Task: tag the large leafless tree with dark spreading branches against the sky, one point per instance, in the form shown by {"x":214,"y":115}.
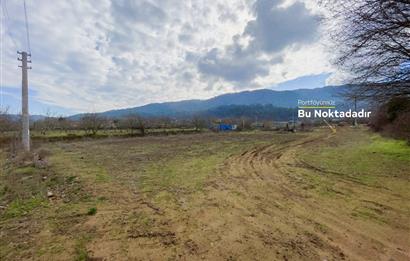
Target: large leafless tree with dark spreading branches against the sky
{"x":372,"y":45}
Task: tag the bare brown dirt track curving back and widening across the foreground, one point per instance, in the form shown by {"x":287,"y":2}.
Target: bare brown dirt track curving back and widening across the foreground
{"x":260,"y":206}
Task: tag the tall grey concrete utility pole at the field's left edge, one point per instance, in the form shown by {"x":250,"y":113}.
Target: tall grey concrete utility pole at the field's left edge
{"x":24,"y":100}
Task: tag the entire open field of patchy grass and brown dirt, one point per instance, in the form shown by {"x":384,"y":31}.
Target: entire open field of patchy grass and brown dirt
{"x":249,"y":195}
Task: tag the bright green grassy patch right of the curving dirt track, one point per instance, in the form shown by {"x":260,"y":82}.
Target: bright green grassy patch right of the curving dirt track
{"x":363,"y":154}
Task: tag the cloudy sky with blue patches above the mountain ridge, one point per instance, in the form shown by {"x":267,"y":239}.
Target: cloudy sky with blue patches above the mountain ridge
{"x":92,"y":56}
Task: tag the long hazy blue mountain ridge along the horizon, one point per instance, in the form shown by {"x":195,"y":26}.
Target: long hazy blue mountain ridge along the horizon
{"x":284,"y":99}
